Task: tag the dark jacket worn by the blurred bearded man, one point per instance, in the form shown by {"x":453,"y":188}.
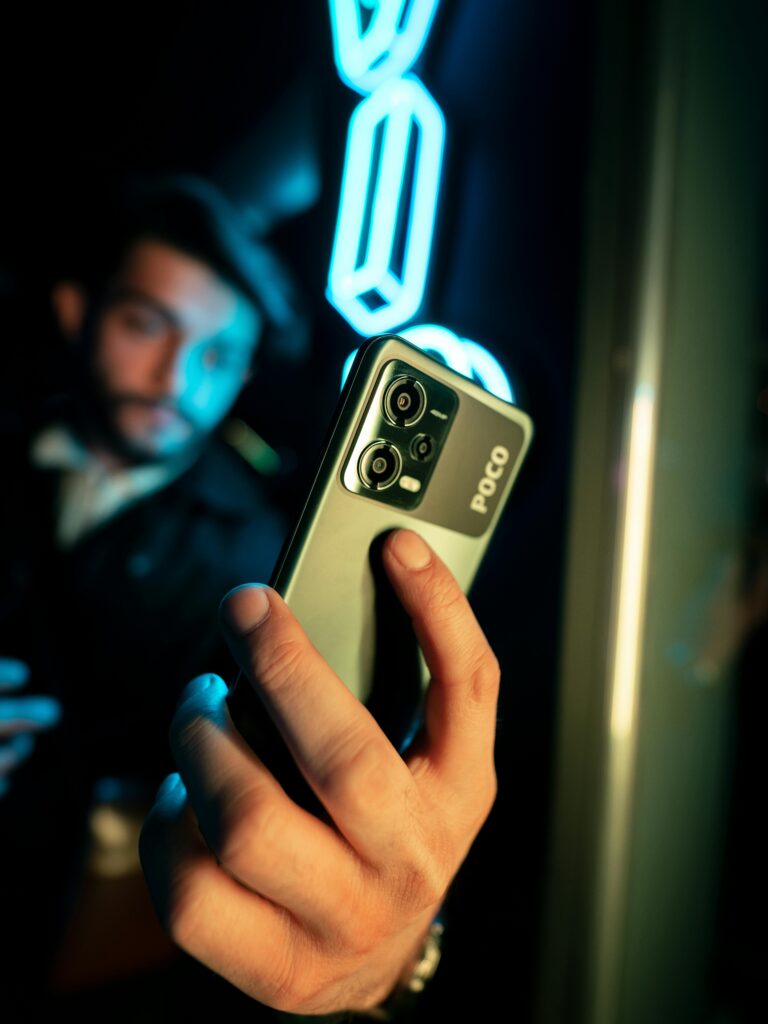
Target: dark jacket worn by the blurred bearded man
{"x":114,"y":628}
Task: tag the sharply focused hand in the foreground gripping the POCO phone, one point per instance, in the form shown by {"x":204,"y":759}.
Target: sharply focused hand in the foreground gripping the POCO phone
{"x":306,"y":916}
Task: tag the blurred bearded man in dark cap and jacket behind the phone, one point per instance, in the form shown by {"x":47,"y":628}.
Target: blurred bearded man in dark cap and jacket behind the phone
{"x":124,"y":520}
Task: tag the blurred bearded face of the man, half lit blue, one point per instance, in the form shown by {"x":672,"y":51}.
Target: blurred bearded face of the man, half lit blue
{"x":173,"y":348}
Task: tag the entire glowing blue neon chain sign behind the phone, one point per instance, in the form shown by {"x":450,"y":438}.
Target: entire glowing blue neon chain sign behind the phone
{"x":391,"y":184}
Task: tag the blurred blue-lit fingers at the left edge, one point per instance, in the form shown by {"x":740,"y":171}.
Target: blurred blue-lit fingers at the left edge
{"x":20,"y":718}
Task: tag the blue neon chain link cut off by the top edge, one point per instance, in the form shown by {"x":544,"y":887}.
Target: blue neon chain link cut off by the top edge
{"x":383,"y":45}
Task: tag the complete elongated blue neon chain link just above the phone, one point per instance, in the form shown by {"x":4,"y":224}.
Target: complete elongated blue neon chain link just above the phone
{"x":401,"y":106}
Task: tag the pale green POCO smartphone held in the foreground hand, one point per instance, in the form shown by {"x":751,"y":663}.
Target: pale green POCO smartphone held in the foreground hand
{"x":413,"y":444}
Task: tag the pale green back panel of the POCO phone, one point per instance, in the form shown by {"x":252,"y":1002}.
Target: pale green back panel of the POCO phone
{"x":327,"y":573}
